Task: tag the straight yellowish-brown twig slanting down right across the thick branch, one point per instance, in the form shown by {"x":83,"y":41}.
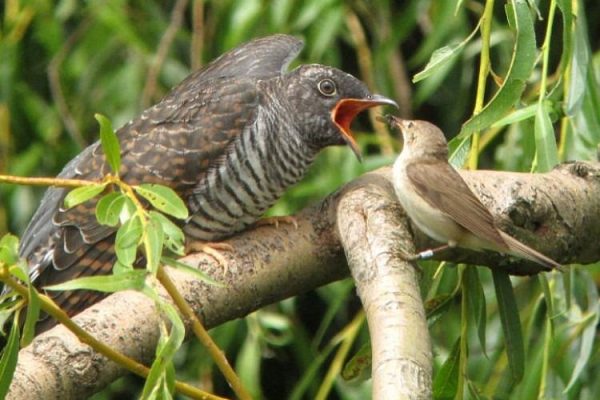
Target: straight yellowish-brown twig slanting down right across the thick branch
{"x":217,"y":355}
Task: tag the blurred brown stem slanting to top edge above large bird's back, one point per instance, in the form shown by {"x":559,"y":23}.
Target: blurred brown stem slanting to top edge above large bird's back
{"x":163,"y":49}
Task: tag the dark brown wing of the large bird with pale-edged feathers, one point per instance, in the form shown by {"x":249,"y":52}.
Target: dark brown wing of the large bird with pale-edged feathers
{"x":172,"y":143}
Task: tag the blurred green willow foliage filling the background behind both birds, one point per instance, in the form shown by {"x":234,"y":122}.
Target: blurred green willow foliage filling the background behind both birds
{"x":63,"y":61}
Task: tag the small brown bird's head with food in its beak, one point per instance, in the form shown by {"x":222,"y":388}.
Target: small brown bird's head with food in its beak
{"x":421,"y":138}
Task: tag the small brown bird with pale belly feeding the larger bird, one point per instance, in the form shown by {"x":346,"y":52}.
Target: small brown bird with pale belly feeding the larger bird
{"x":439,"y":201}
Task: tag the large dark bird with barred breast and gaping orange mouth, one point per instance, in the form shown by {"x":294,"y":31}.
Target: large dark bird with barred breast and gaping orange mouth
{"x":229,"y":140}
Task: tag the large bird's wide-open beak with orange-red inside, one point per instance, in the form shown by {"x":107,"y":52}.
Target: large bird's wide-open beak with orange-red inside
{"x":346,"y":110}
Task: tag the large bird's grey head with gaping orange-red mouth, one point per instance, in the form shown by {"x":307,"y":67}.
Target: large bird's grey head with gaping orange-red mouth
{"x":326,"y":100}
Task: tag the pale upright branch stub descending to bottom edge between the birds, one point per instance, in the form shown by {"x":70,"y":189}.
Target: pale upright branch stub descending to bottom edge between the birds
{"x":375,"y":234}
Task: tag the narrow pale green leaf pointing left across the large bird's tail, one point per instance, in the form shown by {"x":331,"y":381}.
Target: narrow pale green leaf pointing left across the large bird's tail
{"x":130,"y":280}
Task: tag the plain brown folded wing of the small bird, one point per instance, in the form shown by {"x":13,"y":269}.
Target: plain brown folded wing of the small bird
{"x":443,"y":188}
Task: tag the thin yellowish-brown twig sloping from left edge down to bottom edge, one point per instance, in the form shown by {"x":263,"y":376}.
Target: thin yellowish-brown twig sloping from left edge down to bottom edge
{"x":57,"y":313}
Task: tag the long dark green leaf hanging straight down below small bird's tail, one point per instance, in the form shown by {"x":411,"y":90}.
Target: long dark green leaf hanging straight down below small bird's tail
{"x":511,"y":324}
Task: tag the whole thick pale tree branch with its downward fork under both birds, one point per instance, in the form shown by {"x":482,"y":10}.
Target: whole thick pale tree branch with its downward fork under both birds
{"x":557,"y":212}
